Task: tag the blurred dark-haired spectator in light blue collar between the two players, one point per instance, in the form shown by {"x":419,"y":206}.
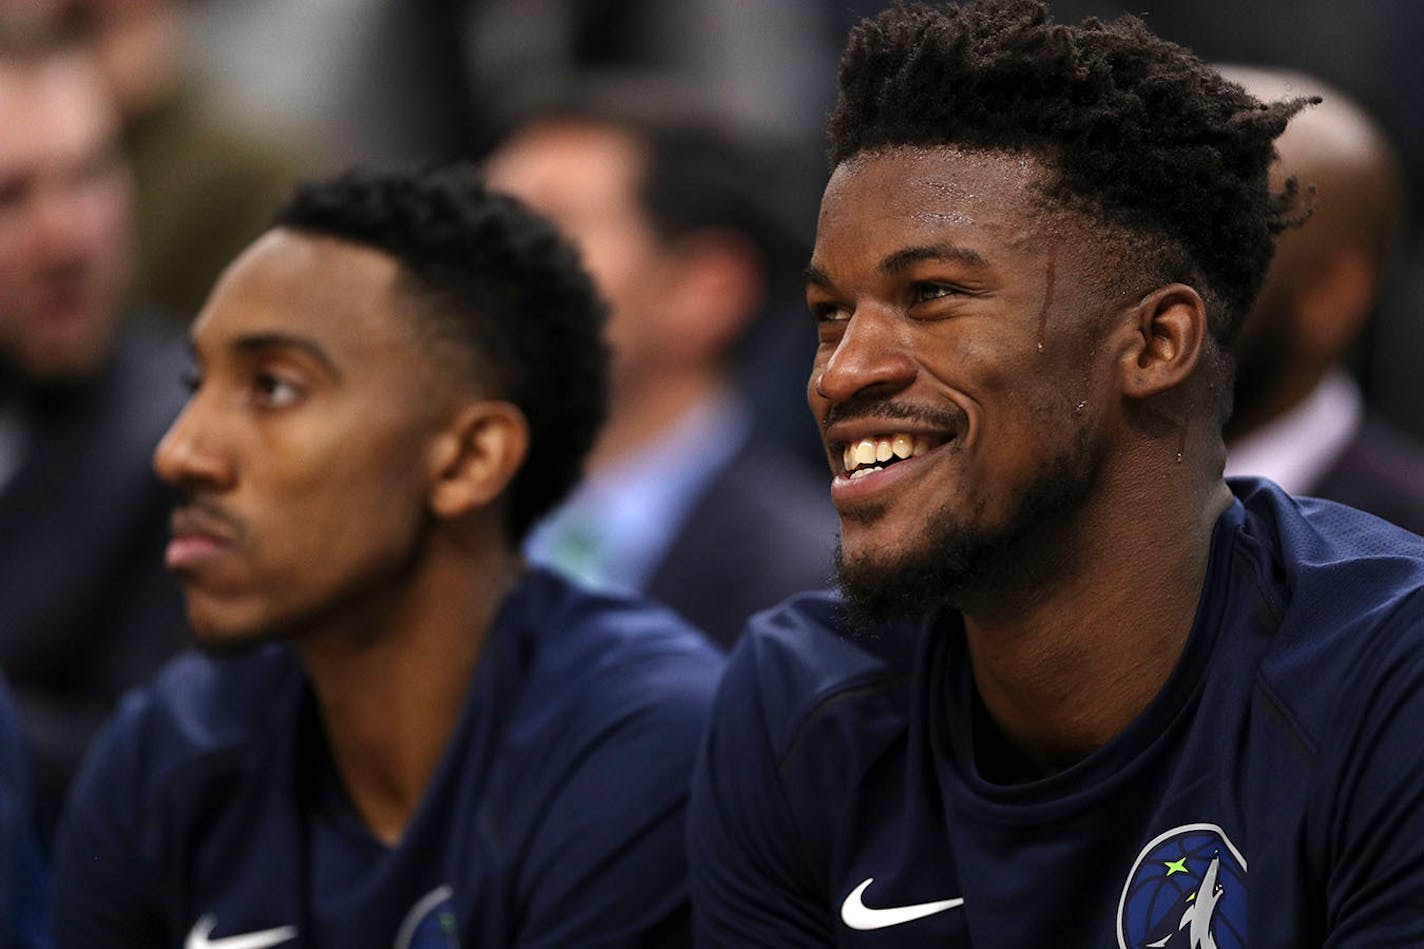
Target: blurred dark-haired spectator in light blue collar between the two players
{"x":681,"y":501}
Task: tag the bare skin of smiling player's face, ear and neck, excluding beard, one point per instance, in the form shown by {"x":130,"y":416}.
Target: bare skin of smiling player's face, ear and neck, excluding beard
{"x":945,"y":293}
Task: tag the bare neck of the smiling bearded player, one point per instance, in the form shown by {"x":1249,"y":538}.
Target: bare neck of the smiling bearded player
{"x":1066,"y":668}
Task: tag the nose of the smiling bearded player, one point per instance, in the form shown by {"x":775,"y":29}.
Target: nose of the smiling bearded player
{"x":874,"y":354}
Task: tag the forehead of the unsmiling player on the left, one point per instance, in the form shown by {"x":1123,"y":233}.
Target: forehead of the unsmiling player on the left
{"x":341,"y":297}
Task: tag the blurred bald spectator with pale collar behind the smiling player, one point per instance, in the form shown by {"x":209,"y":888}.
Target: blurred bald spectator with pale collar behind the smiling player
{"x":1301,"y":418}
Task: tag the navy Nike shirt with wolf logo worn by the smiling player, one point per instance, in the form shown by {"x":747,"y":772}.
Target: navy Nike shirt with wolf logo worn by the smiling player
{"x":1272,"y":796}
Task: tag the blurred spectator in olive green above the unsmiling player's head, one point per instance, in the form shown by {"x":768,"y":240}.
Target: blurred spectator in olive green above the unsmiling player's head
{"x":206,"y":186}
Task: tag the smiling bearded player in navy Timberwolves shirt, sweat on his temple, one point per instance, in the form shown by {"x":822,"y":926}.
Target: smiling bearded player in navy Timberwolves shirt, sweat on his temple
{"x":1076,"y":689}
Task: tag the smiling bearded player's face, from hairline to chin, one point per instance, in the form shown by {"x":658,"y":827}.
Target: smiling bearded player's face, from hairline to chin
{"x":958,"y":380}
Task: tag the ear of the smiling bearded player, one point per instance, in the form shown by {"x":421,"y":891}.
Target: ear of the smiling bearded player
{"x":1164,"y":341}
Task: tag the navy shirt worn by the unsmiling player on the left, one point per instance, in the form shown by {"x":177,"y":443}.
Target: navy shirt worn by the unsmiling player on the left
{"x":210,"y":813}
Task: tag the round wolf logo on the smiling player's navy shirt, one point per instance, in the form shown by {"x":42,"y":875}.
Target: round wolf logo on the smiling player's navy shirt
{"x":1187,"y":891}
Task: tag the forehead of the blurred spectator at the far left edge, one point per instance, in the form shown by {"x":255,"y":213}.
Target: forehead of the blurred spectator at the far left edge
{"x":52,"y":108}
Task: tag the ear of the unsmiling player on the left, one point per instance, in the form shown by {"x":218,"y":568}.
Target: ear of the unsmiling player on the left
{"x":476,"y":458}
